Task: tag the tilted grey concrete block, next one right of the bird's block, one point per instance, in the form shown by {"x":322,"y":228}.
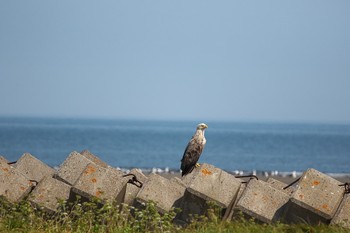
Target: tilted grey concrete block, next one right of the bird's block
{"x":262,"y":201}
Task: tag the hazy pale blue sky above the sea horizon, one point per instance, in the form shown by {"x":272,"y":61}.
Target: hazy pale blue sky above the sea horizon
{"x":217,"y":60}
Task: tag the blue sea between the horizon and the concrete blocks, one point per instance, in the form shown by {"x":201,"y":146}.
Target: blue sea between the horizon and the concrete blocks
{"x":160,"y":144}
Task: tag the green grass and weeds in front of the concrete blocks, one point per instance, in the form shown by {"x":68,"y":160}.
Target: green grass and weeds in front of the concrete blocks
{"x":97,"y":217}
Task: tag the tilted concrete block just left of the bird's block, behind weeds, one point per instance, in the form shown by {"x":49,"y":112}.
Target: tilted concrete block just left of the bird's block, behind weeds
{"x":165,"y":193}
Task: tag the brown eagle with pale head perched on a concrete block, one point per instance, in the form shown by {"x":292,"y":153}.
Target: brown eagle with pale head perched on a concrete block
{"x":193,"y":150}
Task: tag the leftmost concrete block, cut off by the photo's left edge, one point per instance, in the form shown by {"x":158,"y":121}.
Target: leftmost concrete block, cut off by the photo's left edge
{"x":13,"y":185}
